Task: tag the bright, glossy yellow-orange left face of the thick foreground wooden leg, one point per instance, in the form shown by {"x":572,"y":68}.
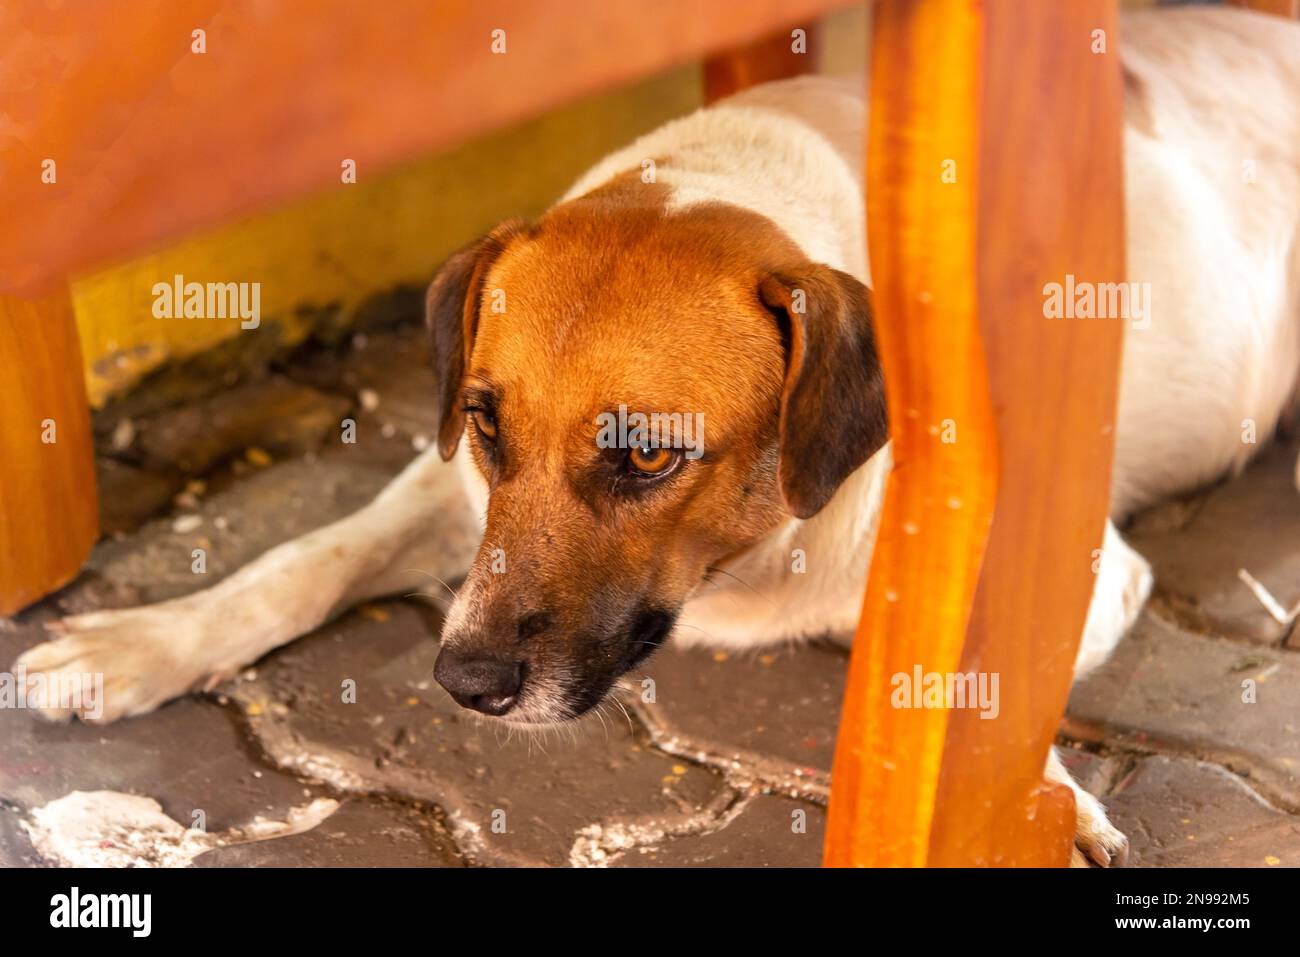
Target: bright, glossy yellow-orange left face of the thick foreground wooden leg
{"x":922,"y":235}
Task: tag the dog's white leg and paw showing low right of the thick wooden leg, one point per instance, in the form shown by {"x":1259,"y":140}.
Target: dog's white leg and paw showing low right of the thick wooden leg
{"x":1124,"y":584}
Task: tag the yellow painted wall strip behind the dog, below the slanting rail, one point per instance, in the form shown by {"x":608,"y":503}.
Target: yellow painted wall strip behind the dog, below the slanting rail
{"x":324,"y":257}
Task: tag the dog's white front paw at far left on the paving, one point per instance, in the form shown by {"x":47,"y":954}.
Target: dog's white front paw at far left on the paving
{"x":110,"y":665}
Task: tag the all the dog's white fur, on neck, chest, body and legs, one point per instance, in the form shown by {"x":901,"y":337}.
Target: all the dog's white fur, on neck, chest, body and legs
{"x":1214,"y":90}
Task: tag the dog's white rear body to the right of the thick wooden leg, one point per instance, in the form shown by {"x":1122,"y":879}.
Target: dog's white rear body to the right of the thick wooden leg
{"x":1221,"y":254}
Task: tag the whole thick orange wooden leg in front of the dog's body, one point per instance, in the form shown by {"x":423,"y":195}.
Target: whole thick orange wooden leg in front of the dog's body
{"x":994,"y":167}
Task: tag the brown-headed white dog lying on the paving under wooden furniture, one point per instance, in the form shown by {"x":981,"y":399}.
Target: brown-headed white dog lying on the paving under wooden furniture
{"x":733,"y":284}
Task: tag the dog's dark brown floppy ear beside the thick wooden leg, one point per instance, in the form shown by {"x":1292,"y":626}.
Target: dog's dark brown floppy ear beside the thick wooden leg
{"x":834,"y":402}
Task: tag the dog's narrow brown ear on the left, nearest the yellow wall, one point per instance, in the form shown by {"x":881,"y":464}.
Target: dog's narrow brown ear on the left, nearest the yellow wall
{"x":452,"y":314}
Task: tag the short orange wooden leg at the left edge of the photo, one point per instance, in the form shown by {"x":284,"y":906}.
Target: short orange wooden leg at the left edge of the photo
{"x":49,"y":505}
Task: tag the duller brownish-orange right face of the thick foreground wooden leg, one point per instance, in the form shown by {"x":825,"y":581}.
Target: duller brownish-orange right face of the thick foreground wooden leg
{"x":1051,"y":205}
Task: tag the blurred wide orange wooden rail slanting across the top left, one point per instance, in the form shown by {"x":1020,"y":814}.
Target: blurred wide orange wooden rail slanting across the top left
{"x":153,"y":141}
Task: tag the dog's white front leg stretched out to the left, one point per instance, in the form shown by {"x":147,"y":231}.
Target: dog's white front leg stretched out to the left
{"x":419,"y":530}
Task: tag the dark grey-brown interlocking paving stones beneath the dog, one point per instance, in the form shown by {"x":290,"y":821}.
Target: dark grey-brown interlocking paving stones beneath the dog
{"x":1189,"y":734}
